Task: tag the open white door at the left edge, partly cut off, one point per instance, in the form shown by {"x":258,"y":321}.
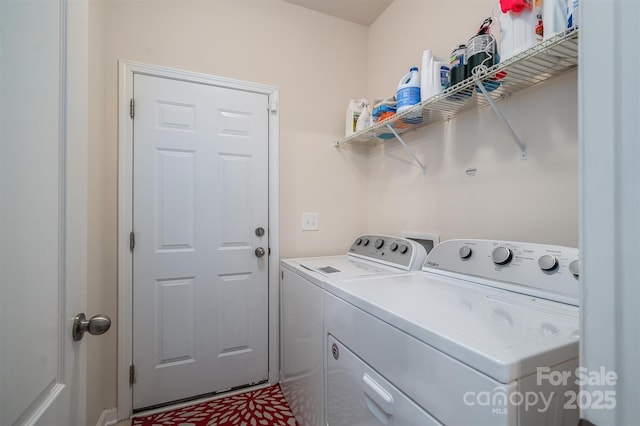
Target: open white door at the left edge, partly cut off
{"x":43,"y":211}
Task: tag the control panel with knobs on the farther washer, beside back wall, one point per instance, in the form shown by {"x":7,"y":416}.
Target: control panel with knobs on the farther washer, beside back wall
{"x":394,"y":251}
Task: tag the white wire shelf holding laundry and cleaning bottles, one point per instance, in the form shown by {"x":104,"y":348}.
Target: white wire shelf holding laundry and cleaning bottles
{"x":551,"y":58}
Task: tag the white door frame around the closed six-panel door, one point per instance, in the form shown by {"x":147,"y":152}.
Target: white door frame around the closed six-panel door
{"x":127,"y":69}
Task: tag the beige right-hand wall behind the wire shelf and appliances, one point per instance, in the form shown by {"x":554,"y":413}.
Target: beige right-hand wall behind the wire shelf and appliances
{"x":534,"y":200}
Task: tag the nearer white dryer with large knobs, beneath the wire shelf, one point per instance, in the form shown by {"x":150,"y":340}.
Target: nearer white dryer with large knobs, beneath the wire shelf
{"x":486,"y":334}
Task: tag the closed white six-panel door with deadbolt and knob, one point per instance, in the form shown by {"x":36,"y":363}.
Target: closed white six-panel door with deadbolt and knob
{"x":200,"y":191}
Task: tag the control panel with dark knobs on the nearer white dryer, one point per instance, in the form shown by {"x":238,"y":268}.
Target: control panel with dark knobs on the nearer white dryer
{"x":551,"y":272}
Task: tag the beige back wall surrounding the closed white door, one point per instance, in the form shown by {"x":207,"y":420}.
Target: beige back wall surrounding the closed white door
{"x":316,"y":61}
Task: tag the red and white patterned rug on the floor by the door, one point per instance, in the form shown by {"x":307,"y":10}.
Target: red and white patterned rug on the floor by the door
{"x":264,"y":407}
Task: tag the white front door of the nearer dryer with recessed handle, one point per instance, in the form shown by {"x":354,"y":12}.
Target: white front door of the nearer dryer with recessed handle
{"x":358,"y":396}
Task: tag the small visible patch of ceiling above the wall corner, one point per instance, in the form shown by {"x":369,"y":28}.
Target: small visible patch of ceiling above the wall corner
{"x":362,"y":12}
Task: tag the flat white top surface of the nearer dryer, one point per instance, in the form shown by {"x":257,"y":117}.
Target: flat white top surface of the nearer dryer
{"x":502,"y":334}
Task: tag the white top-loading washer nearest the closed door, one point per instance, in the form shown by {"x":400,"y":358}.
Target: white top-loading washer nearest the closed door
{"x":301,"y":308}
